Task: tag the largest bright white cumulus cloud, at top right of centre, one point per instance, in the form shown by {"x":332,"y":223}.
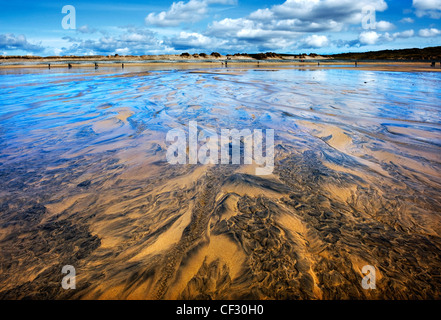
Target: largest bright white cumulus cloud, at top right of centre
{"x":285,"y":24}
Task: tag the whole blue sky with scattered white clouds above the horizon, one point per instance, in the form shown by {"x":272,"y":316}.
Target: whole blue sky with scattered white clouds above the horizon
{"x":226,"y":26}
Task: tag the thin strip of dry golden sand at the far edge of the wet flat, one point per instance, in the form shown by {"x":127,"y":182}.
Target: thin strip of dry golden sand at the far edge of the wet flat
{"x":170,"y":62}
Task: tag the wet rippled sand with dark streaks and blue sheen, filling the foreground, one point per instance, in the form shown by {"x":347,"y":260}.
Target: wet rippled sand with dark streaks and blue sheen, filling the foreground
{"x":85,"y":182}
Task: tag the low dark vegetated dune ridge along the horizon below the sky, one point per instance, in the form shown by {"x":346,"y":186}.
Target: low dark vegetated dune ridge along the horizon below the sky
{"x":414,"y":54}
